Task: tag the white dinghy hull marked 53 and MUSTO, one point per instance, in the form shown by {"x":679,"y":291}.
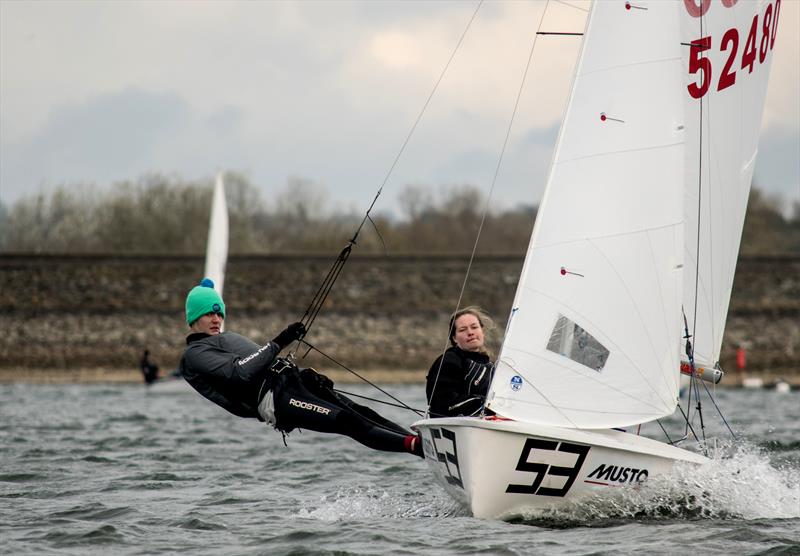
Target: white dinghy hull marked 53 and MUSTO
{"x":499,"y":469}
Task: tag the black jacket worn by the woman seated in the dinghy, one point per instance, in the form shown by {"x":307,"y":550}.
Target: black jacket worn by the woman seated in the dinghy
{"x":458,"y":385}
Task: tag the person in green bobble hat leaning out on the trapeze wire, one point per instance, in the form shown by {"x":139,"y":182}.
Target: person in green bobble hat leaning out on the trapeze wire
{"x":250,"y":380}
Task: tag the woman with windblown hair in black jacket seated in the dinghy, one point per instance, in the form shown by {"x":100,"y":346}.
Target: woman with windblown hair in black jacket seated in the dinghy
{"x":458,"y":380}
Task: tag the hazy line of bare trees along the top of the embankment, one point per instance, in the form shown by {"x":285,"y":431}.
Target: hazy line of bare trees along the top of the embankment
{"x":157,"y":214}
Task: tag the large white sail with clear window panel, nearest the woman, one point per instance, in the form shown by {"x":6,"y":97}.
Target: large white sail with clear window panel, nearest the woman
{"x":596,"y":318}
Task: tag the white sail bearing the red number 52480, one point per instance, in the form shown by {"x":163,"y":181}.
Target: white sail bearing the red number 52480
{"x":728,"y":73}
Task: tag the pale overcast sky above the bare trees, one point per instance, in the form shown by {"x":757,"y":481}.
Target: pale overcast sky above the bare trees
{"x":96,"y":92}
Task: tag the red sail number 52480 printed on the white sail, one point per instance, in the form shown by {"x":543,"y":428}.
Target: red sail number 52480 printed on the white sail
{"x":760,"y":40}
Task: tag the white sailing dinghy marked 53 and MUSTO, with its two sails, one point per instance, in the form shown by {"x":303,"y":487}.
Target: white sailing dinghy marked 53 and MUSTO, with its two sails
{"x":632,"y":256}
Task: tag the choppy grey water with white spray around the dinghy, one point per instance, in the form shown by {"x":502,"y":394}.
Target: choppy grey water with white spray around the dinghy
{"x":93,"y":469}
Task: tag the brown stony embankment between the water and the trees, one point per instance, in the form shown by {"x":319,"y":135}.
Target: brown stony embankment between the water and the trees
{"x":67,"y":313}
